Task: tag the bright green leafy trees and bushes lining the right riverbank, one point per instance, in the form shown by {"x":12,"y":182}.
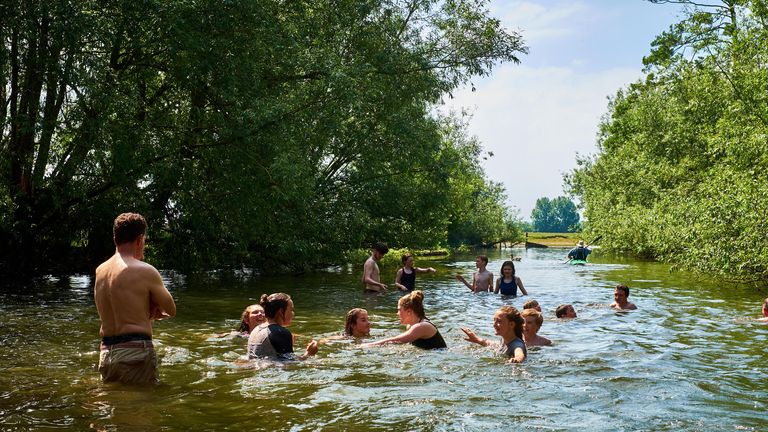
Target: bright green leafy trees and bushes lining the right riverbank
{"x":681,"y":173}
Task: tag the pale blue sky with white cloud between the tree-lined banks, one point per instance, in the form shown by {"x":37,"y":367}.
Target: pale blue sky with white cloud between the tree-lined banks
{"x":536,"y":116}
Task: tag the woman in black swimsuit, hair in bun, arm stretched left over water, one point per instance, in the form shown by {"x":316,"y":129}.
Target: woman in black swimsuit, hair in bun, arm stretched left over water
{"x":421,"y":332}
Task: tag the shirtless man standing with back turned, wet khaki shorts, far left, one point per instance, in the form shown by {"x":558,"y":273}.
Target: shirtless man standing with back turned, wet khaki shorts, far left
{"x":129,"y":294}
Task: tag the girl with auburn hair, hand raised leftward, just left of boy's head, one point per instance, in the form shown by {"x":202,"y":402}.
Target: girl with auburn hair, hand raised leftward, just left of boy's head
{"x":507,"y":323}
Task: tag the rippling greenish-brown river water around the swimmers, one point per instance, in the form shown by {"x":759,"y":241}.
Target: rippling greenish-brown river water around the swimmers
{"x":690,"y":358}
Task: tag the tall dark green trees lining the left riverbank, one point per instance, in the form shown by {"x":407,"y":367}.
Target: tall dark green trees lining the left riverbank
{"x":253,"y":133}
